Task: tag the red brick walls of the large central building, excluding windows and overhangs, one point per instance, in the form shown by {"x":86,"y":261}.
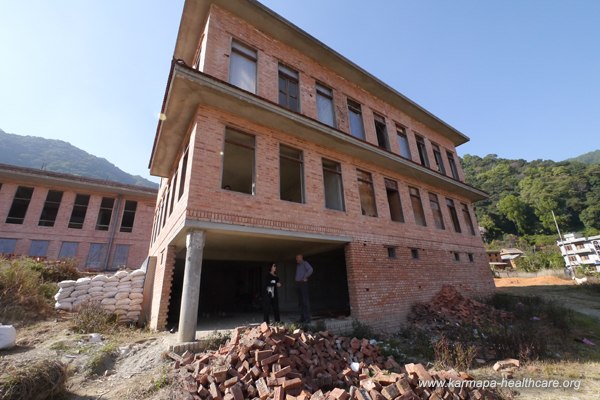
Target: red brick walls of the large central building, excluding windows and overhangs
{"x":382,"y":286}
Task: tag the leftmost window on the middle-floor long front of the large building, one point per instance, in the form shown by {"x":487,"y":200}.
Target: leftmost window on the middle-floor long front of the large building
{"x":238,"y":162}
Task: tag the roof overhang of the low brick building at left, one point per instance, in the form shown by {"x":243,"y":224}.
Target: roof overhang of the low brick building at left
{"x":58,"y":180}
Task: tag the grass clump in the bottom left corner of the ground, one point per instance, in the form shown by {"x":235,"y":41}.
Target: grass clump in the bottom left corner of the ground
{"x":39,"y":380}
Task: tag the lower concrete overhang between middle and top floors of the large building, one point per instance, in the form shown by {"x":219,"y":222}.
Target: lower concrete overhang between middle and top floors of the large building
{"x":188,"y":89}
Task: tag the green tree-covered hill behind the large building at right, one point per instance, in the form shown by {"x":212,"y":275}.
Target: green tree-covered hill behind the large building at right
{"x":523,"y":195}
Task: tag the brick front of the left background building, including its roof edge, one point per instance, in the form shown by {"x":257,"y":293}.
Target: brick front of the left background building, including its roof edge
{"x":42,"y":181}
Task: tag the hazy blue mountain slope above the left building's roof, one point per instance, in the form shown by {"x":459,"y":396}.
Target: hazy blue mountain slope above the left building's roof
{"x":59,"y":156}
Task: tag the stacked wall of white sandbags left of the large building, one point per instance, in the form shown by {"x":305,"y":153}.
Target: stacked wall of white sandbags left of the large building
{"x":121,"y":293}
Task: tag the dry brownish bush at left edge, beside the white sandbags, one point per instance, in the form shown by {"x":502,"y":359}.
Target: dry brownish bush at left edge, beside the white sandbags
{"x":25,"y":296}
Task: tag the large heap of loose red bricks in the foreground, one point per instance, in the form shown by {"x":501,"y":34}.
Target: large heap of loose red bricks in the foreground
{"x":272,"y":363}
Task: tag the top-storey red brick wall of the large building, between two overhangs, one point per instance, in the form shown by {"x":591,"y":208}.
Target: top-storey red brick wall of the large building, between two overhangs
{"x":223,"y":27}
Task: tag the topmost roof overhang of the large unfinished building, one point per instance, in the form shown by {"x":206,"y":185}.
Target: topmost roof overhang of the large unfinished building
{"x":196,"y":12}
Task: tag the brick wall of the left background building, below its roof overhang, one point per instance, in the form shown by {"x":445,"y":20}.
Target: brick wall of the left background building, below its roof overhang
{"x":138,"y":239}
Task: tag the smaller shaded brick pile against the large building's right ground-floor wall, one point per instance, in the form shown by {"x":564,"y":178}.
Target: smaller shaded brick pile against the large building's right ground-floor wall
{"x":449,"y":306}
